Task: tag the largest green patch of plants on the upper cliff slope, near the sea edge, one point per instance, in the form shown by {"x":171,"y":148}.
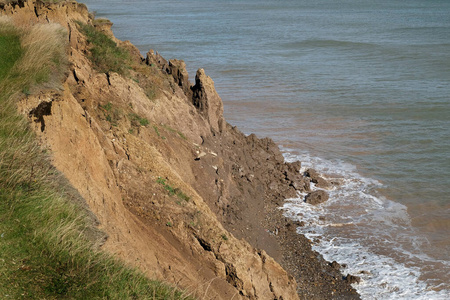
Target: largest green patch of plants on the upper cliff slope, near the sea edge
{"x":105,"y":55}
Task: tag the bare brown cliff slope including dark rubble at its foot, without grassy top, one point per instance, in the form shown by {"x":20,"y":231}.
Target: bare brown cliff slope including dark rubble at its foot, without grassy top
{"x":179,"y":192}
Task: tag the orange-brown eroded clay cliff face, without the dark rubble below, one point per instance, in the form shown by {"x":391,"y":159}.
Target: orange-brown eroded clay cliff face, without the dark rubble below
{"x":141,"y":179}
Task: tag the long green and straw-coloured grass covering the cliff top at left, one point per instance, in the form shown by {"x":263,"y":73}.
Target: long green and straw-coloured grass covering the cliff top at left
{"x":48,"y":241}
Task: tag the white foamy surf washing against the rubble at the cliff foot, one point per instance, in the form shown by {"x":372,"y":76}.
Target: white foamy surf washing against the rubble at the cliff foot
{"x":369,"y":233}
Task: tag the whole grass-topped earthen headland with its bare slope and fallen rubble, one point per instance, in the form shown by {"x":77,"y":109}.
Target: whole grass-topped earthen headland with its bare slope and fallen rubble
{"x":181,"y":194}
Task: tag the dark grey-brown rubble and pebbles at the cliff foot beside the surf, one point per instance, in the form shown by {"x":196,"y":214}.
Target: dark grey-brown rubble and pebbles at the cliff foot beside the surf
{"x":268,"y":229}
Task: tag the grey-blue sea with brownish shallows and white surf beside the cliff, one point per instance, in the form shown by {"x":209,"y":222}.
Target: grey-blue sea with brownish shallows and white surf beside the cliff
{"x":359,"y":90}
